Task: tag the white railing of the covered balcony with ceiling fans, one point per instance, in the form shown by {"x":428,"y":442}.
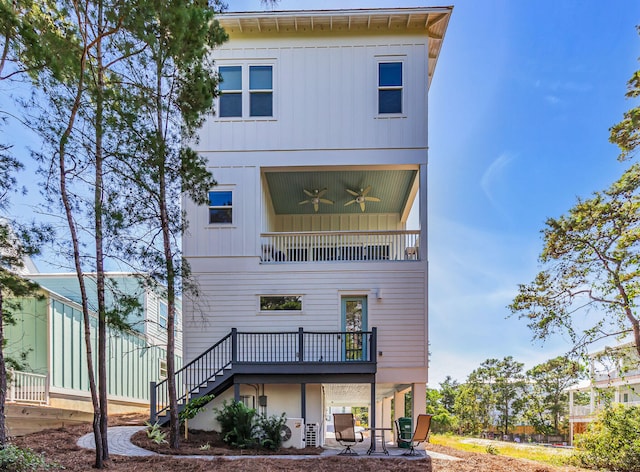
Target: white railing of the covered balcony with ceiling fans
{"x":345,"y":246}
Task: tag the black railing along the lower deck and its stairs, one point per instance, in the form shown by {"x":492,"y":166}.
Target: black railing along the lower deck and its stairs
{"x":282,"y":348}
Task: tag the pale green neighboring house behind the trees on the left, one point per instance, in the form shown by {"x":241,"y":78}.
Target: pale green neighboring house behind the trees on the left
{"x":49,"y":336}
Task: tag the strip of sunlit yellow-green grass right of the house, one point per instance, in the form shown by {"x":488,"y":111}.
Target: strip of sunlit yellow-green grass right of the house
{"x":547,"y":455}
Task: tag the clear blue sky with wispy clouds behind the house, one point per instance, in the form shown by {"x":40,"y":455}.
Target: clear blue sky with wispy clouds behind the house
{"x":520,"y":106}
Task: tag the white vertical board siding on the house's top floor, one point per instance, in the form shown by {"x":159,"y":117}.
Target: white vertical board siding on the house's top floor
{"x":325,"y":95}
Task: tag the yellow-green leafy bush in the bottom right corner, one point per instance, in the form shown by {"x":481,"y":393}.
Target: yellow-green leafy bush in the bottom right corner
{"x":612,"y":441}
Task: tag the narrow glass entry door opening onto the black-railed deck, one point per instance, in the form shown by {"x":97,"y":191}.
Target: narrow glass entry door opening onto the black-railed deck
{"x":354,"y":322}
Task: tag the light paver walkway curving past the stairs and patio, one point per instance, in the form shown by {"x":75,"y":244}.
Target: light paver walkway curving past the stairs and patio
{"x":120,"y":444}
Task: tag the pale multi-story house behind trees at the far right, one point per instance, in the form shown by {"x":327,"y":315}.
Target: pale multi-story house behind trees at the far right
{"x":614,"y":379}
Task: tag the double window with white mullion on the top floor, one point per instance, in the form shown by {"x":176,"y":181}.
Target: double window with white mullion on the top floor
{"x":246,"y":91}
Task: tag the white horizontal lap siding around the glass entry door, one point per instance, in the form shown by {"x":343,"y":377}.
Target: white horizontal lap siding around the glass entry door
{"x":230,"y":300}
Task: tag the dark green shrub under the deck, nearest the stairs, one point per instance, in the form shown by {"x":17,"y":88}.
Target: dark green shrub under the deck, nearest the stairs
{"x":237,"y":424}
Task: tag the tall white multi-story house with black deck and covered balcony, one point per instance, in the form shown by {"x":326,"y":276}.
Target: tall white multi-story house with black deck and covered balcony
{"x":313,"y":284}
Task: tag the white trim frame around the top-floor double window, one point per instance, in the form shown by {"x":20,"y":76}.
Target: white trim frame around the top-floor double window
{"x":246,"y":91}
